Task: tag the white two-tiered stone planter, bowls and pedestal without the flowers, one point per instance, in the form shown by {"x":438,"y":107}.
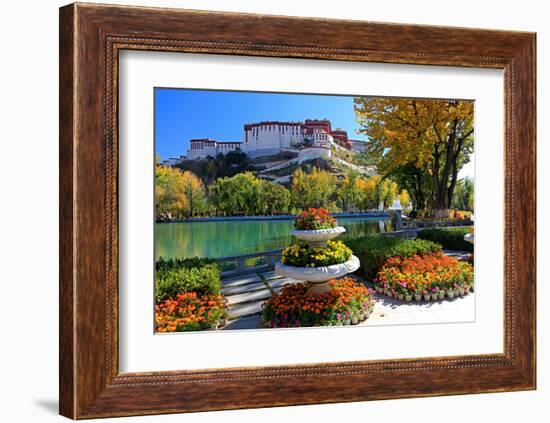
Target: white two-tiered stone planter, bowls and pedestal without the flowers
{"x":318,"y":277}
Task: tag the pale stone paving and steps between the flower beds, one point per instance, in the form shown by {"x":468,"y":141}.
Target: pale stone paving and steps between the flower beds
{"x":245,"y":295}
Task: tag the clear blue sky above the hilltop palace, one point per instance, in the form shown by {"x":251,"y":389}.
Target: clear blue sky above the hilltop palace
{"x":185,"y":114}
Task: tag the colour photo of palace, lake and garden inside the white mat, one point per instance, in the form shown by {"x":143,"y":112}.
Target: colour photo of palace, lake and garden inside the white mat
{"x":293,"y":210}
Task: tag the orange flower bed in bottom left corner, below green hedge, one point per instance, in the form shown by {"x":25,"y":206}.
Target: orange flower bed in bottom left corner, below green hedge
{"x":190,"y":312}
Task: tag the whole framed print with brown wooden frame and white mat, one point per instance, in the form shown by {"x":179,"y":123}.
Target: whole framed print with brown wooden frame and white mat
{"x":291,"y":211}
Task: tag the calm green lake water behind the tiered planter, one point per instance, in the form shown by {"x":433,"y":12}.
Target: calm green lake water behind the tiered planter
{"x":233,"y":237}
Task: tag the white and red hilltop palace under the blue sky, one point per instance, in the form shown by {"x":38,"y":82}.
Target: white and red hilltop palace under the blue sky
{"x":270,"y":137}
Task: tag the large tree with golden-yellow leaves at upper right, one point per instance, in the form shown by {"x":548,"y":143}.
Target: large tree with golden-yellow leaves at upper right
{"x":421,"y":143}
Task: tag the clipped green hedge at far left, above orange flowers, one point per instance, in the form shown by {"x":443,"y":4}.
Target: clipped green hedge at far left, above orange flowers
{"x":175,"y":276}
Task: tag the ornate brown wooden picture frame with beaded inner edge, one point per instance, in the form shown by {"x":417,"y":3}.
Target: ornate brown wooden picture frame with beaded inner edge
{"x":91,"y":37}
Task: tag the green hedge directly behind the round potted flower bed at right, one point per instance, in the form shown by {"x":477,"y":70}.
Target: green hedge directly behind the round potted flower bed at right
{"x":373,"y":251}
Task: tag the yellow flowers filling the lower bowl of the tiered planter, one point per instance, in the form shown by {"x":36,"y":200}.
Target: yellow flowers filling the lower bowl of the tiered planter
{"x":306,"y":256}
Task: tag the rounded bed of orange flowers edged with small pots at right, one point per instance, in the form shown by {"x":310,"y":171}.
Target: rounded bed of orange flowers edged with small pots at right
{"x":430,"y":277}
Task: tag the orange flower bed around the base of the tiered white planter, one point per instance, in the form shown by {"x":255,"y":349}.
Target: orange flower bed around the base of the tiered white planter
{"x":347,"y":301}
